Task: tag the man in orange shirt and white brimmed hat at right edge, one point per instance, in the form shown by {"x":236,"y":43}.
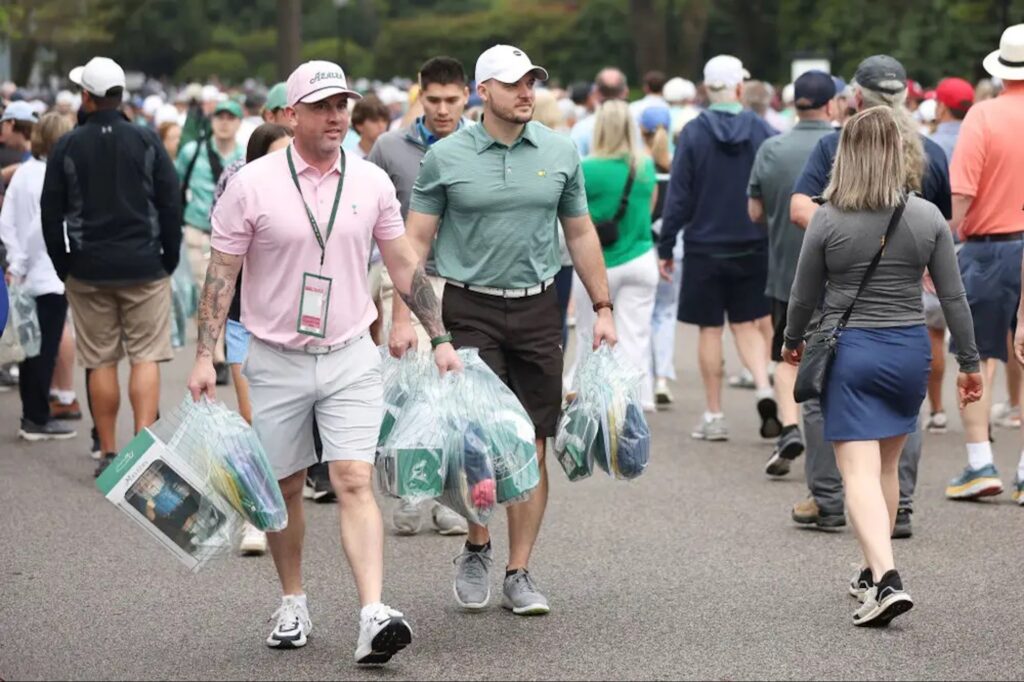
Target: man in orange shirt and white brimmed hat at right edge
{"x":989,"y":196}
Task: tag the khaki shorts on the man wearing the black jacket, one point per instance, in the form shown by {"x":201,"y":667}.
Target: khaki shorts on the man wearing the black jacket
{"x":112,"y":322}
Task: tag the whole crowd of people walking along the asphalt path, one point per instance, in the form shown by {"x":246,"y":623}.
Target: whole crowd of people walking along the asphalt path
{"x":498,"y":215}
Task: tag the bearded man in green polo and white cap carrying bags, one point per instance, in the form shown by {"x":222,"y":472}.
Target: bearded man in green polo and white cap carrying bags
{"x":498,"y":191}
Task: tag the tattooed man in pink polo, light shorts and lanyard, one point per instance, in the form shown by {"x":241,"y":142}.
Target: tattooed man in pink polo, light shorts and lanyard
{"x":303,"y":221}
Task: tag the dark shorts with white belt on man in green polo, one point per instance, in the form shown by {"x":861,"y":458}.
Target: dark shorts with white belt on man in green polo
{"x":521,"y":340}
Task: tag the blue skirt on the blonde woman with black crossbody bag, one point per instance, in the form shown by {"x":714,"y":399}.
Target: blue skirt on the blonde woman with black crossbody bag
{"x":877,"y":383}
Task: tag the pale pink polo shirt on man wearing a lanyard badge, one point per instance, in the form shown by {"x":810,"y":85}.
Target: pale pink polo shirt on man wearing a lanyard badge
{"x":261,"y":216}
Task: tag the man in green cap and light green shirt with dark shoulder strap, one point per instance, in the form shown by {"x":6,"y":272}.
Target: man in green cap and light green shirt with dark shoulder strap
{"x":200,"y":164}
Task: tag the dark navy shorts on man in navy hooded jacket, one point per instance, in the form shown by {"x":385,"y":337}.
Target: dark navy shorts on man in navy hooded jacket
{"x":718,"y":286}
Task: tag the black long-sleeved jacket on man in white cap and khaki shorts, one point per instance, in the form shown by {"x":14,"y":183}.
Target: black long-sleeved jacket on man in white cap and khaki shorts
{"x":115,"y":188}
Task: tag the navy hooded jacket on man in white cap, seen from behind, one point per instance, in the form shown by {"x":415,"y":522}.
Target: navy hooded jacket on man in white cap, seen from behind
{"x":708,"y":189}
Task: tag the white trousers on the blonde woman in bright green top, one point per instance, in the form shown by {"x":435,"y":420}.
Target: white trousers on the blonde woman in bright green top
{"x":632,"y":287}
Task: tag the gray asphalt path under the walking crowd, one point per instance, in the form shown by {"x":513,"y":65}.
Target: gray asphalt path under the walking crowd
{"x":695,"y":571}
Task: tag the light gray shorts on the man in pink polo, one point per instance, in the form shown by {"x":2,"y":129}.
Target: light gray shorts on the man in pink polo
{"x":344,"y":390}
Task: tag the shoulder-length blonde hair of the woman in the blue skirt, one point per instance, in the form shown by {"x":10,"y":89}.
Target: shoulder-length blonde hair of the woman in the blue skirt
{"x":870,"y":173}
